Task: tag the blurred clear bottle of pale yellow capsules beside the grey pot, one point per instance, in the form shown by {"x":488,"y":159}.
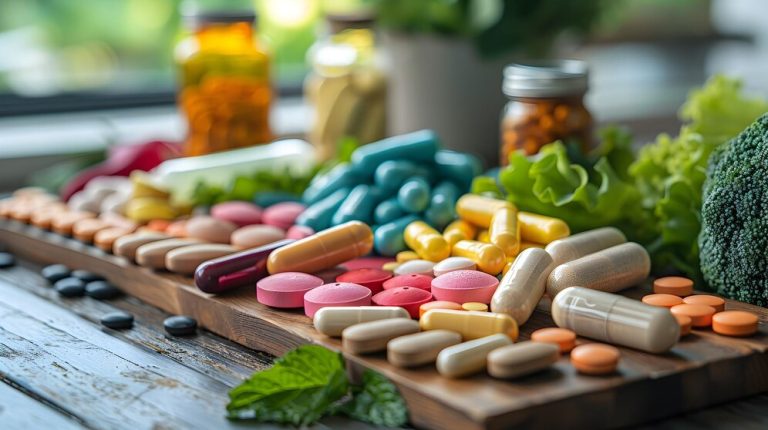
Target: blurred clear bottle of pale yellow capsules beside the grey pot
{"x":346,"y":85}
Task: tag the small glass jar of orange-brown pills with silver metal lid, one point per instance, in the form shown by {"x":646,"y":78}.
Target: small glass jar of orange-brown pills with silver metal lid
{"x":546,"y":103}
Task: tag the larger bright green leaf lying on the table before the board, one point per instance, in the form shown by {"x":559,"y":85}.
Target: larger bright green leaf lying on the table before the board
{"x":297,"y":390}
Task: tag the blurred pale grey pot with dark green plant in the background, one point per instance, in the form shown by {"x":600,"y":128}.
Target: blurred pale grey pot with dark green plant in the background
{"x":447,"y":58}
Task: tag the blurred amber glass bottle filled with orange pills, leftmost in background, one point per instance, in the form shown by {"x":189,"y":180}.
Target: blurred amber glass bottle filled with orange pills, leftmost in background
{"x":225,"y":90}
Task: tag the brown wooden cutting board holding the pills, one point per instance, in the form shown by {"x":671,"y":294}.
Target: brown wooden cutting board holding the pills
{"x":702,"y":370}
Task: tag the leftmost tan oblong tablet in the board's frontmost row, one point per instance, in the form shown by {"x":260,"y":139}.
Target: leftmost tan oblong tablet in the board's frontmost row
{"x":373,"y":336}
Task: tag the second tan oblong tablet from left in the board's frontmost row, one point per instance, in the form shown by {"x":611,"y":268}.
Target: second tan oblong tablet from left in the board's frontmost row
{"x":420,"y":348}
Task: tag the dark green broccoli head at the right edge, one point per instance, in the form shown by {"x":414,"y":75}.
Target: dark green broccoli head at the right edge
{"x":734,"y":233}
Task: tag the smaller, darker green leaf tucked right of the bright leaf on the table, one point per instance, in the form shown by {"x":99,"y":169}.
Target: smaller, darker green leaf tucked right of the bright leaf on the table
{"x":376,"y":402}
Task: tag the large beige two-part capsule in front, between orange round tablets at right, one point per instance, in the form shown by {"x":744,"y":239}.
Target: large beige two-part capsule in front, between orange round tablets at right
{"x":616,"y":319}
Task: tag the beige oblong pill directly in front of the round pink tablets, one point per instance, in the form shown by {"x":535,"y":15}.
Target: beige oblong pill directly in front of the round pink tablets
{"x":332,"y":320}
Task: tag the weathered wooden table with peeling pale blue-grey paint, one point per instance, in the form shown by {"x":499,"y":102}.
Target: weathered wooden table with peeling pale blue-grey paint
{"x":60,"y":369}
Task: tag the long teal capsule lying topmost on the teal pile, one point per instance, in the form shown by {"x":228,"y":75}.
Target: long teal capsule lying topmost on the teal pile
{"x":419,"y":146}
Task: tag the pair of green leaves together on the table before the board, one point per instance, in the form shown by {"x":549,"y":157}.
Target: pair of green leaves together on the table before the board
{"x":310,"y":382}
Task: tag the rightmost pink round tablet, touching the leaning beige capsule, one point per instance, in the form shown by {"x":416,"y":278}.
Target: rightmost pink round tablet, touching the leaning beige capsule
{"x":463,"y":286}
